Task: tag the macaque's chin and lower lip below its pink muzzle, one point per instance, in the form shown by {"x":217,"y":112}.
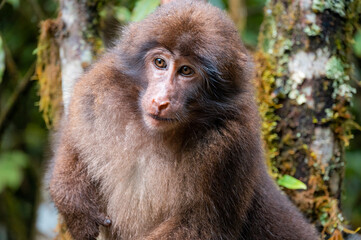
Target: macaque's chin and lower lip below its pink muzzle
{"x":157,"y":123}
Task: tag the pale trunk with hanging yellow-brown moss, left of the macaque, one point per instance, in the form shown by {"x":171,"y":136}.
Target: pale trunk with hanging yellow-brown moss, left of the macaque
{"x":67,"y":46}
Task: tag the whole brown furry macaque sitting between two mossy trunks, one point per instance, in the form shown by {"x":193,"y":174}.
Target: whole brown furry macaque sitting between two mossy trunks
{"x":162,"y":139}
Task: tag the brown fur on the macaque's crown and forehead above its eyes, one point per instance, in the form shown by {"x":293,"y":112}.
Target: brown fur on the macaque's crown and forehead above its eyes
{"x":193,"y":28}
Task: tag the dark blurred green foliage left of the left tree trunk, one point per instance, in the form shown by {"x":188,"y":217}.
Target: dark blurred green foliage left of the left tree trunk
{"x":23,"y":134}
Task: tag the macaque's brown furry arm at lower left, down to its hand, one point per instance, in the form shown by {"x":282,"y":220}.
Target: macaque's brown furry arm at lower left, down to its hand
{"x":75,"y":195}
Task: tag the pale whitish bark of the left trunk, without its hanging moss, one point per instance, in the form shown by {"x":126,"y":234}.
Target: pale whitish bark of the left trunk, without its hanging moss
{"x":78,"y":41}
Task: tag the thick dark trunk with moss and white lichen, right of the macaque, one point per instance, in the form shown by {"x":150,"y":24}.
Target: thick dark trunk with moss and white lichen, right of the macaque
{"x":303,"y":85}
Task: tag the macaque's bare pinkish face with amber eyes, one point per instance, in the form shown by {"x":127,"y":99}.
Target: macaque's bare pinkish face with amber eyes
{"x":173,"y":81}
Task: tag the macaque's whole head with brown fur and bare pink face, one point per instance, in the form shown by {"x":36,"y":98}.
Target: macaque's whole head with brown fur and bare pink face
{"x":189,"y":64}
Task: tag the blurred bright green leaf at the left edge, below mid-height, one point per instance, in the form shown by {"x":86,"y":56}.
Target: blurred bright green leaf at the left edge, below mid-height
{"x":11,"y":169}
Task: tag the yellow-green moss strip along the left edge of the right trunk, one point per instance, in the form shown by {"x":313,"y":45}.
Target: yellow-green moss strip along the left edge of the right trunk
{"x":272,"y":64}
